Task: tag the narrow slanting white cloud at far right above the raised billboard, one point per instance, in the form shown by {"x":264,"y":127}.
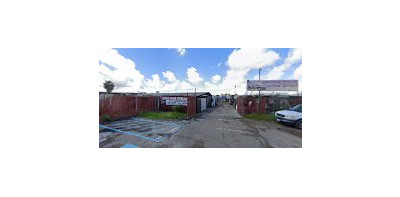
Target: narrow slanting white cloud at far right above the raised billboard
{"x":278,"y":72}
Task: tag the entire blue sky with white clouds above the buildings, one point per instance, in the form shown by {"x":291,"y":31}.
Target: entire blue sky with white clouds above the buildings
{"x":215,"y":70}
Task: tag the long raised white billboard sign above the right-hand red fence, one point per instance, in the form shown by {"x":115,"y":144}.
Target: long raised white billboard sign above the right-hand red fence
{"x":272,"y":85}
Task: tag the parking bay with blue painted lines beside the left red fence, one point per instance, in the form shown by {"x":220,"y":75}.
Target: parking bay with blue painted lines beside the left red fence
{"x":150,"y":130}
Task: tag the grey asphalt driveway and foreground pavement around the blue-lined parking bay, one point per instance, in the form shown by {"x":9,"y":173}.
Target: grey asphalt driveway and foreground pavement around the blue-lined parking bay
{"x":217,"y":127}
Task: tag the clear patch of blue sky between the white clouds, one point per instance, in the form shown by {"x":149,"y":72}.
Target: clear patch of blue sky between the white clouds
{"x":151,"y":61}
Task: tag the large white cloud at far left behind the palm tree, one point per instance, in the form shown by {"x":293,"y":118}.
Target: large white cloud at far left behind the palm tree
{"x":123,"y":74}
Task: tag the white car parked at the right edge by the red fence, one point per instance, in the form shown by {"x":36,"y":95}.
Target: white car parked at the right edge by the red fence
{"x":291,"y":116}
